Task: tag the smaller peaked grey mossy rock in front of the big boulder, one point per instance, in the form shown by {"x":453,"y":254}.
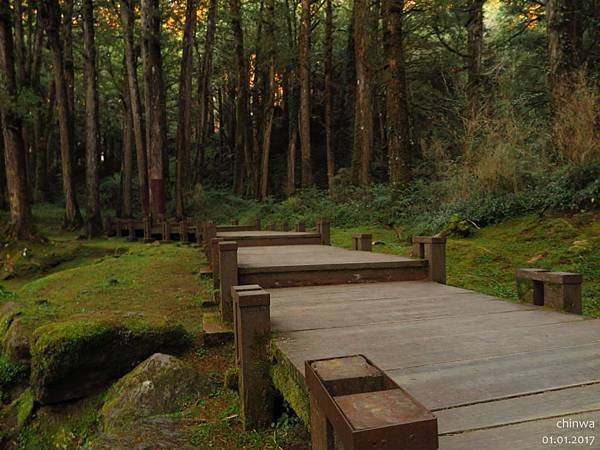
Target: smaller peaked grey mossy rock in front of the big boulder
{"x":162,"y":384}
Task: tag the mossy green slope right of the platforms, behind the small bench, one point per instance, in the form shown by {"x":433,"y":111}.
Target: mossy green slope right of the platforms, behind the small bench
{"x":486,"y":262}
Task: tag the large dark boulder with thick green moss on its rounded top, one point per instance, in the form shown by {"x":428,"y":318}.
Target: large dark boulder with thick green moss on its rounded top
{"x":73,"y":358}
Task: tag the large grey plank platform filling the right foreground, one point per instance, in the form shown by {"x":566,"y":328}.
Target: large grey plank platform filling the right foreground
{"x":498,"y":375}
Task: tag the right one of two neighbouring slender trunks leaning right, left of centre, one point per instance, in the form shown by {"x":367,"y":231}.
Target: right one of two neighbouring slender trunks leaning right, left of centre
{"x":204,"y":84}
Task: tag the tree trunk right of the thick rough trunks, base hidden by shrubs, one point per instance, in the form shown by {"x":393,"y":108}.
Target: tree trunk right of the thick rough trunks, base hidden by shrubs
{"x":475,"y":33}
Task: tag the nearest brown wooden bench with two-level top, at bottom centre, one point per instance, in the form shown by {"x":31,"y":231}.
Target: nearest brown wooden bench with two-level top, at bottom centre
{"x":354,"y":402}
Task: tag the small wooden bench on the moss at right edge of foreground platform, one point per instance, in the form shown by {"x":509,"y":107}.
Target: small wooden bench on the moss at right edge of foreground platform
{"x":558,"y":290}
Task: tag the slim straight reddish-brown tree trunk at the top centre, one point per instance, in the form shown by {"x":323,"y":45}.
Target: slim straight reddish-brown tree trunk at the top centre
{"x":305,"y":147}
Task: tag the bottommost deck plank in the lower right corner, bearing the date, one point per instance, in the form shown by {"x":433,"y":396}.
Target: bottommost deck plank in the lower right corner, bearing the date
{"x":525,"y":436}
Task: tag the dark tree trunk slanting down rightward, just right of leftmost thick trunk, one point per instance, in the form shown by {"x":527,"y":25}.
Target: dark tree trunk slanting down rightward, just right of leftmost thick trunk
{"x":51,"y":14}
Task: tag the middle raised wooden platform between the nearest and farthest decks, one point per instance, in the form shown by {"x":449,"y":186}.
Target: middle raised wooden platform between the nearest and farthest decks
{"x":304,"y":265}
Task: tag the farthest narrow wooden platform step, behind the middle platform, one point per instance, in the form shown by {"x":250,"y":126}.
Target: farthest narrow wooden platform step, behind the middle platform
{"x":270,"y":238}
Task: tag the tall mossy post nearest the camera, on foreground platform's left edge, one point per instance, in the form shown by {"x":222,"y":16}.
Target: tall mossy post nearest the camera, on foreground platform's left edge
{"x":254,"y":337}
